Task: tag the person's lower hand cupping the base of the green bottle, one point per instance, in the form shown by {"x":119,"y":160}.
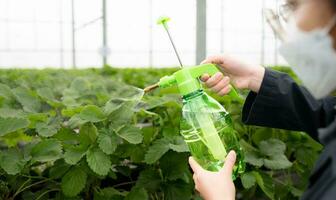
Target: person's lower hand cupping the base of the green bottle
{"x":215,"y":185}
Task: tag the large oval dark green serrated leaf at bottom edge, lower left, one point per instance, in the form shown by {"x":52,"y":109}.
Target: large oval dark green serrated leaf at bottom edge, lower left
{"x":73,"y":182}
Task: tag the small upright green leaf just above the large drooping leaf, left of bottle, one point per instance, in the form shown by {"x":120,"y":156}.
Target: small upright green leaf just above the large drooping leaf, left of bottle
{"x":107,"y":141}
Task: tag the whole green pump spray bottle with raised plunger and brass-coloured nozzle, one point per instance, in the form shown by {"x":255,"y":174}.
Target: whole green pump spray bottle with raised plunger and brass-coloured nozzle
{"x":205,"y":124}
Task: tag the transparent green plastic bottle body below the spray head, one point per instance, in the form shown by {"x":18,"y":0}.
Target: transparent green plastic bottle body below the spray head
{"x":207,"y":129}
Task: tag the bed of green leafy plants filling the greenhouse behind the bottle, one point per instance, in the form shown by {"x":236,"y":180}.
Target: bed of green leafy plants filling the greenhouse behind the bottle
{"x":90,"y":134}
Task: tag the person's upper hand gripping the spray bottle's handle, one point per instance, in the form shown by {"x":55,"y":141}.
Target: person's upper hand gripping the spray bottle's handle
{"x":240,"y":74}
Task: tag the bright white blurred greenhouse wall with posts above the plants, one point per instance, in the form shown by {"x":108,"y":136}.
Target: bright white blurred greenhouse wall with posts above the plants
{"x":124,"y":33}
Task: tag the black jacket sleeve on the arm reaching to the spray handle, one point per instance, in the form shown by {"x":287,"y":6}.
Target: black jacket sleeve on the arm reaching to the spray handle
{"x":282,"y":103}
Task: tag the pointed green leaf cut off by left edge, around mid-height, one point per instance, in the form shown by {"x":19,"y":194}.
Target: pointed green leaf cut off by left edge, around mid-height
{"x":9,"y":125}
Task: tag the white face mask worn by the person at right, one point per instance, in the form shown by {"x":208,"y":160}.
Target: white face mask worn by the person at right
{"x":313,"y":58}
